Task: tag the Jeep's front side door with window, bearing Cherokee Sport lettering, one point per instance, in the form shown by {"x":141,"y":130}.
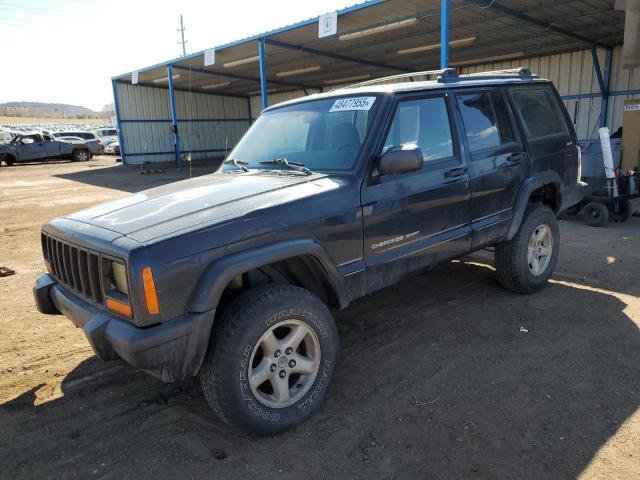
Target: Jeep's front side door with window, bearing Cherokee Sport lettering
{"x":415,"y":219}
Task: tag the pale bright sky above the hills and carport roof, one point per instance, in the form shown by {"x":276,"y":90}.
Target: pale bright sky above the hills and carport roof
{"x":66,"y":51}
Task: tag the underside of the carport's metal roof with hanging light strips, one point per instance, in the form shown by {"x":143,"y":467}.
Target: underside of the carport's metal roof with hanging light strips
{"x":490,"y":31}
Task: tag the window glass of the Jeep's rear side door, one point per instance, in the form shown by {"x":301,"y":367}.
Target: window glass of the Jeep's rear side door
{"x":486,"y":120}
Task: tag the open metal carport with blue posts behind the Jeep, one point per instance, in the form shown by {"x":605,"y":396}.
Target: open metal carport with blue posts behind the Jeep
{"x":182,"y":107}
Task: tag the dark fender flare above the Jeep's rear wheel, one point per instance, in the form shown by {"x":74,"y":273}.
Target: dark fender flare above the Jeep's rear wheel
{"x":542,"y":187}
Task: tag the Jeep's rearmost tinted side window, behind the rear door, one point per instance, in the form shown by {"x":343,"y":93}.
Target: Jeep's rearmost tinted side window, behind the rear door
{"x":538,"y":112}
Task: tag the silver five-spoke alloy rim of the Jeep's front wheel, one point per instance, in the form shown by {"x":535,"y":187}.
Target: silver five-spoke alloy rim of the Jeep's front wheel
{"x":276,"y":379}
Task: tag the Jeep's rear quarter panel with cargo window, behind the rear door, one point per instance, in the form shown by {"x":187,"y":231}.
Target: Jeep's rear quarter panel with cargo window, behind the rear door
{"x":550,"y":141}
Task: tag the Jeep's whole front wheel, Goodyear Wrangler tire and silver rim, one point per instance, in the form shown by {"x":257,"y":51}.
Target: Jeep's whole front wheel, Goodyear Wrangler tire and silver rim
{"x":270,"y":360}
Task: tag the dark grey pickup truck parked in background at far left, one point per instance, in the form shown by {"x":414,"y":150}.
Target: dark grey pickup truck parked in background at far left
{"x":35,"y":146}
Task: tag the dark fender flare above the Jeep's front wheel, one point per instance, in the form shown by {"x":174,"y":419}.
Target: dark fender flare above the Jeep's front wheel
{"x":218,"y":276}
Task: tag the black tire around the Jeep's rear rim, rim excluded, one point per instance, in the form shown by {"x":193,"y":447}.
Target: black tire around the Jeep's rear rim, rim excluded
{"x":512,"y":264}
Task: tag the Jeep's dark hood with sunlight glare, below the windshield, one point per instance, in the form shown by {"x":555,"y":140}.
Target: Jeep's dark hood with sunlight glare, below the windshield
{"x":201,"y":201}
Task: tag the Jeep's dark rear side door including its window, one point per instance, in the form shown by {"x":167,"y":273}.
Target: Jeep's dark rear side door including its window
{"x":498,"y":162}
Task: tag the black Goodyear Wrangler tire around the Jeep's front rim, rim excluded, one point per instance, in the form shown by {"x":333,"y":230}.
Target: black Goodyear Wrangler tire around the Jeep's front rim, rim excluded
{"x":224,"y":375}
